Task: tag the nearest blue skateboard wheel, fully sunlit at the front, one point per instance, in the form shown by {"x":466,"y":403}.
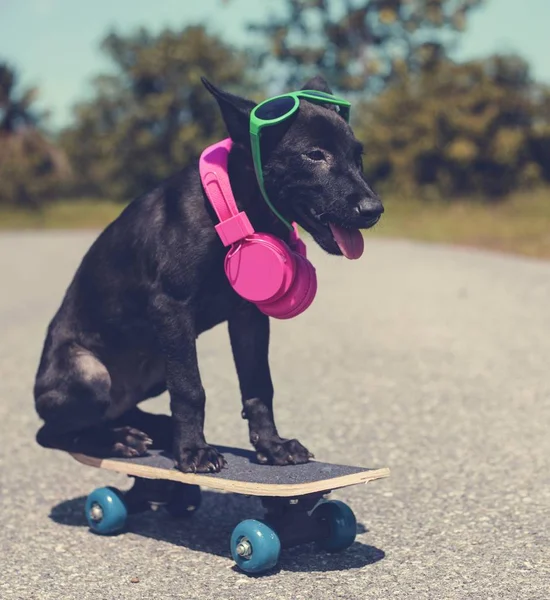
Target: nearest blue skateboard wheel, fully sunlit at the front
{"x":255,"y":546}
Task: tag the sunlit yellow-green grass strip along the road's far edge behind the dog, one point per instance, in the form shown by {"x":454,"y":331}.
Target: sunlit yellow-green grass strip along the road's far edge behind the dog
{"x":521,"y":225}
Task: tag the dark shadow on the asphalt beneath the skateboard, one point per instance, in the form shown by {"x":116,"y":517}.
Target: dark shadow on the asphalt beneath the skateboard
{"x":209,"y":531}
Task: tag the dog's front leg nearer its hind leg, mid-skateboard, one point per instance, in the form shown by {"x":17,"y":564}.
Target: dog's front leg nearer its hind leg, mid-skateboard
{"x":176,"y":332}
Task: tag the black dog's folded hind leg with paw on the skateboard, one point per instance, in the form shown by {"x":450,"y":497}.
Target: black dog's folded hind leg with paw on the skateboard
{"x":73,"y":397}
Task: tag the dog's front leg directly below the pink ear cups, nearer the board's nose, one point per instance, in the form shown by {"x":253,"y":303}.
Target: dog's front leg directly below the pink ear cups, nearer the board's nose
{"x":249,"y":335}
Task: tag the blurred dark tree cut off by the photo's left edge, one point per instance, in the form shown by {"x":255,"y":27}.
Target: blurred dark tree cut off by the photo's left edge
{"x":31,"y":167}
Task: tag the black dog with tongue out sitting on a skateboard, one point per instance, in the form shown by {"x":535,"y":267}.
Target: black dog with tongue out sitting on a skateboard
{"x":153,"y":281}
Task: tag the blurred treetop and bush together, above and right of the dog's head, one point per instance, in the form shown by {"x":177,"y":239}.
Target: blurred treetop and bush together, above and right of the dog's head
{"x":480,"y":128}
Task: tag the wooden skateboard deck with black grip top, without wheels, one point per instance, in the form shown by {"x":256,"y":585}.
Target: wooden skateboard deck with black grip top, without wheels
{"x":243,"y":474}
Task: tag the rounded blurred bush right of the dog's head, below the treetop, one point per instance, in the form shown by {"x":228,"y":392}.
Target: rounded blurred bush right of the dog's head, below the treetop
{"x":464,"y":129}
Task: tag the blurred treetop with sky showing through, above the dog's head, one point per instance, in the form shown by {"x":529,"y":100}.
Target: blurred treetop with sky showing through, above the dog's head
{"x":361,"y":45}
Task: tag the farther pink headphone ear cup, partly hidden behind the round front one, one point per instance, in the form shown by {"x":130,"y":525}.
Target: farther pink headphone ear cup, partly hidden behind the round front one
{"x":299,"y":296}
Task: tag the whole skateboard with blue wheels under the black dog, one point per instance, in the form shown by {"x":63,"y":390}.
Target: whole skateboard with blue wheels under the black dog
{"x":294,"y":498}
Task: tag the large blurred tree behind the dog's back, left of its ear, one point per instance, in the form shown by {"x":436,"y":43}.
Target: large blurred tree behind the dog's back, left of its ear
{"x":153,"y":115}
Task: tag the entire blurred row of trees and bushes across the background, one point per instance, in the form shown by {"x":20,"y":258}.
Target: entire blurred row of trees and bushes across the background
{"x":431,"y":127}
